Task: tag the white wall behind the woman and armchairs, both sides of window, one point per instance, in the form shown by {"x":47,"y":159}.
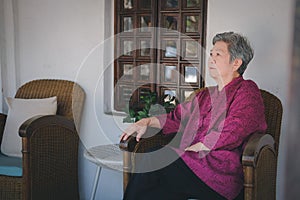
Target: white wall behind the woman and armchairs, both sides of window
{"x":64,"y":39}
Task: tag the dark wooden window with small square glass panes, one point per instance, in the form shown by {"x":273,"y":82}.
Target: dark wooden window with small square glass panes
{"x":158,"y":48}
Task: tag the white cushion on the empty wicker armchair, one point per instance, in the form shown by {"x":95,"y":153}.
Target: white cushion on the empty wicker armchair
{"x":19,"y":110}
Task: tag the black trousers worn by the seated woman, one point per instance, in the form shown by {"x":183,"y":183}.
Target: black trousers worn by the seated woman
{"x":174,"y":182}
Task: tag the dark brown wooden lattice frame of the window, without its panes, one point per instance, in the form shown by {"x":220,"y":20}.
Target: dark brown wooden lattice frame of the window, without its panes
{"x":157,"y":56}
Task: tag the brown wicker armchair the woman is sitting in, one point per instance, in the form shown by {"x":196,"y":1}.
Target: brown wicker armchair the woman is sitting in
{"x":259,"y":158}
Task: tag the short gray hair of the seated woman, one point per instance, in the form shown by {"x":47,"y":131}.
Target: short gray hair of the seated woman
{"x":238,"y":47}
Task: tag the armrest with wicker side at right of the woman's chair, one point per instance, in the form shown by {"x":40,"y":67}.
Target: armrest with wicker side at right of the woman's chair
{"x":259,"y":166}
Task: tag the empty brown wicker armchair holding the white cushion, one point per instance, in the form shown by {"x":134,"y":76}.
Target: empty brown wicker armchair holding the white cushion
{"x":49,"y":145}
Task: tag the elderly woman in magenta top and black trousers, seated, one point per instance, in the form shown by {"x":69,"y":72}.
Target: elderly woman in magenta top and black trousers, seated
{"x":214,"y":127}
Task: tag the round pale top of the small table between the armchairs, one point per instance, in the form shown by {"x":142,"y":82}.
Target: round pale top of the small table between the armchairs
{"x":108,"y":156}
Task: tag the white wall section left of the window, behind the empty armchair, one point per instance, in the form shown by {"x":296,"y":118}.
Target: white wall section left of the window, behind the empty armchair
{"x":62,"y":39}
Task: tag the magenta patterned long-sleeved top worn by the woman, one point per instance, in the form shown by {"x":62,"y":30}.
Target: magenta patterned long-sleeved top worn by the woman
{"x":223,"y":121}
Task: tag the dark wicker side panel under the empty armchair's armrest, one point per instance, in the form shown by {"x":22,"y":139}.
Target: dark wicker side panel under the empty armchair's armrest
{"x":61,"y":176}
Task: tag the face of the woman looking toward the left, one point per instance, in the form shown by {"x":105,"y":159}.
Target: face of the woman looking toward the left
{"x":219,"y":65}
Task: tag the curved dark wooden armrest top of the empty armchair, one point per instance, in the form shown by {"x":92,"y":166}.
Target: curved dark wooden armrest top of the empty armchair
{"x":42,"y":121}
